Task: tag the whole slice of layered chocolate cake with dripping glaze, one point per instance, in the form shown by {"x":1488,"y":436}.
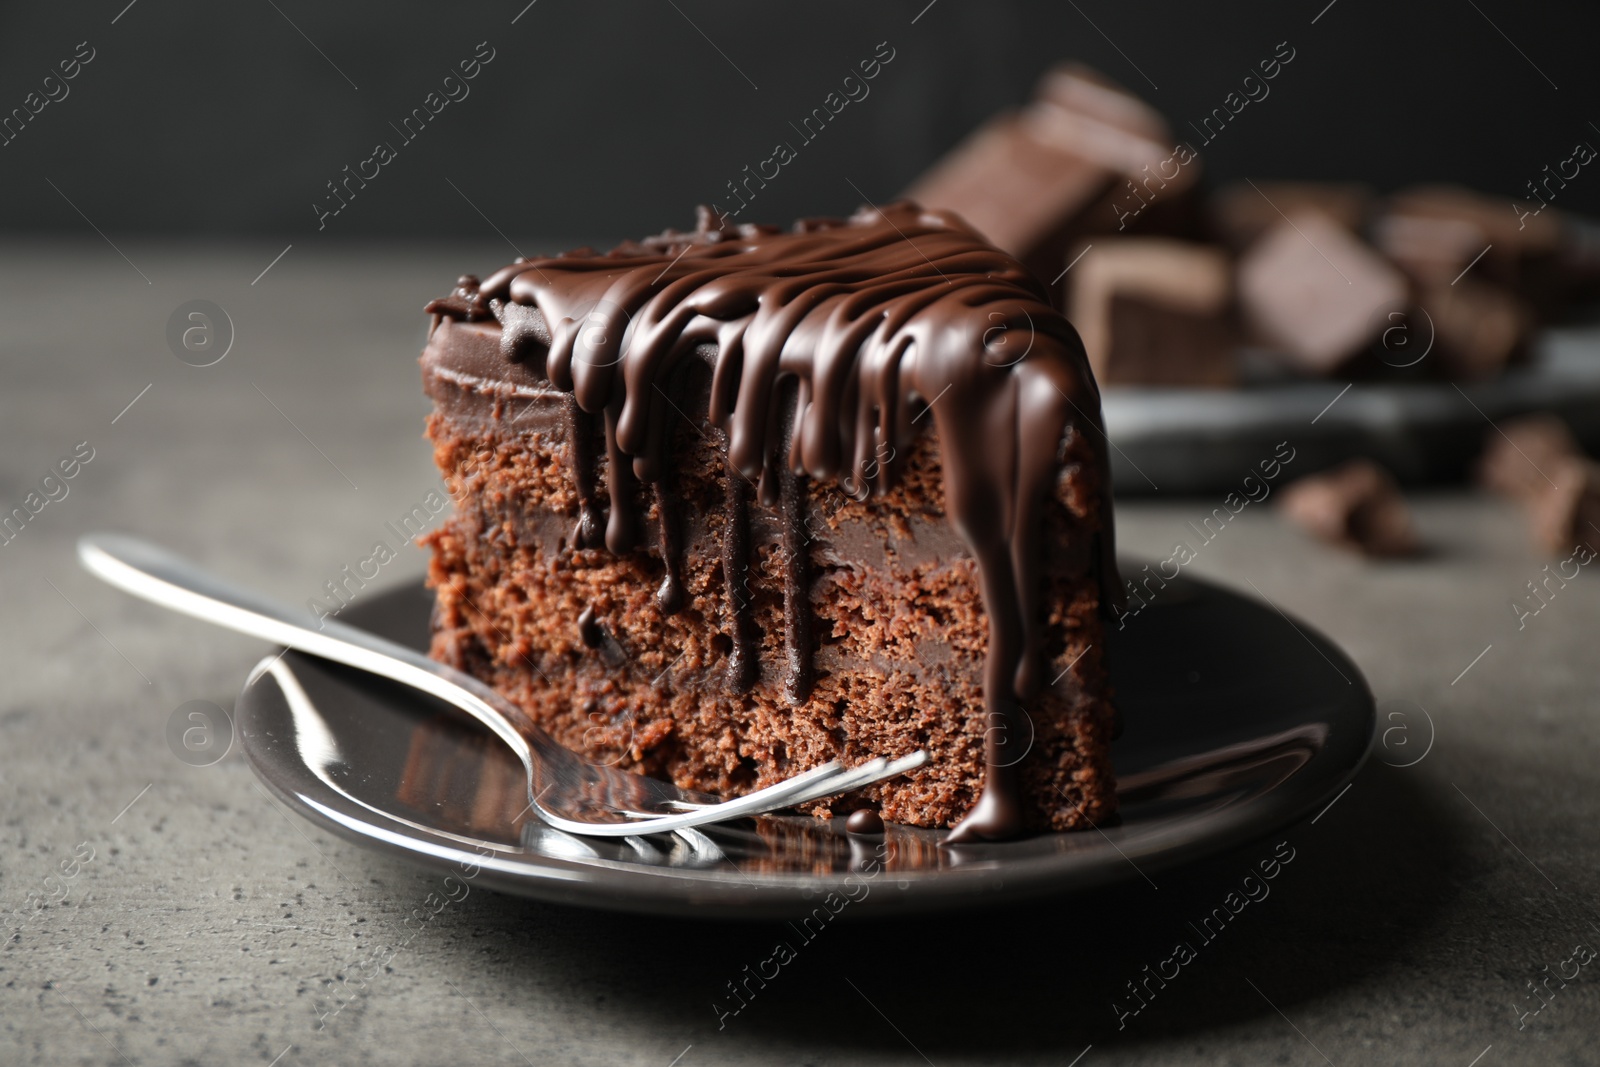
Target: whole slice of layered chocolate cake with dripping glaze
{"x":735,"y":503}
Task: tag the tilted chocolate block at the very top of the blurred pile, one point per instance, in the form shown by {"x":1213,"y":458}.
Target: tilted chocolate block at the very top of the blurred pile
{"x":1084,"y":158}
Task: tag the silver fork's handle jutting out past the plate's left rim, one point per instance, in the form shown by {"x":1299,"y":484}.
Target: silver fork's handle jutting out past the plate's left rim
{"x":170,"y":581}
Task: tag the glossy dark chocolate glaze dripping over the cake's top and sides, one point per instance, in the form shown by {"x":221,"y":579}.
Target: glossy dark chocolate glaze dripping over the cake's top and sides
{"x":823,"y":345}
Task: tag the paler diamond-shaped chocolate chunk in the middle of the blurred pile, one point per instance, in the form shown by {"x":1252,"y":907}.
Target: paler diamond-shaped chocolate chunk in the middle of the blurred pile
{"x":1316,"y":294}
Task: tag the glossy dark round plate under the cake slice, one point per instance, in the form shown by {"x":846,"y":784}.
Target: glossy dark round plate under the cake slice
{"x":1238,"y":722}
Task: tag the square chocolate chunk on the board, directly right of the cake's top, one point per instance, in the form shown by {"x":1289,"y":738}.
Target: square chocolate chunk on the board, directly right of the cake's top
{"x":1156,"y":313}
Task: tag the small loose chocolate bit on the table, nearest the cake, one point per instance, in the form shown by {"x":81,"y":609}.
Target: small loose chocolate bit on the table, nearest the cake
{"x":1356,"y":506}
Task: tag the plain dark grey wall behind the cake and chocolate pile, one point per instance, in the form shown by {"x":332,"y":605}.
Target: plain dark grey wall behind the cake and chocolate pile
{"x":601,"y":121}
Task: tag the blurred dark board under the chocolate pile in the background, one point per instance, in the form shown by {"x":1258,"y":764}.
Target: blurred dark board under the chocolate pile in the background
{"x":1207,"y":441}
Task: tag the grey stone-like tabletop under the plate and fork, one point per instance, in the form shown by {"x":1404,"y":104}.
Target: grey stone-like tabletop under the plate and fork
{"x":194,"y":921}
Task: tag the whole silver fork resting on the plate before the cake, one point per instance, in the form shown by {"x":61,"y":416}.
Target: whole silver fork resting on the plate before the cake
{"x":567,"y":791}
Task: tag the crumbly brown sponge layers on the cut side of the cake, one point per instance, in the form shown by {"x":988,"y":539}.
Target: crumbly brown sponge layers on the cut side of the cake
{"x":578,"y":641}
